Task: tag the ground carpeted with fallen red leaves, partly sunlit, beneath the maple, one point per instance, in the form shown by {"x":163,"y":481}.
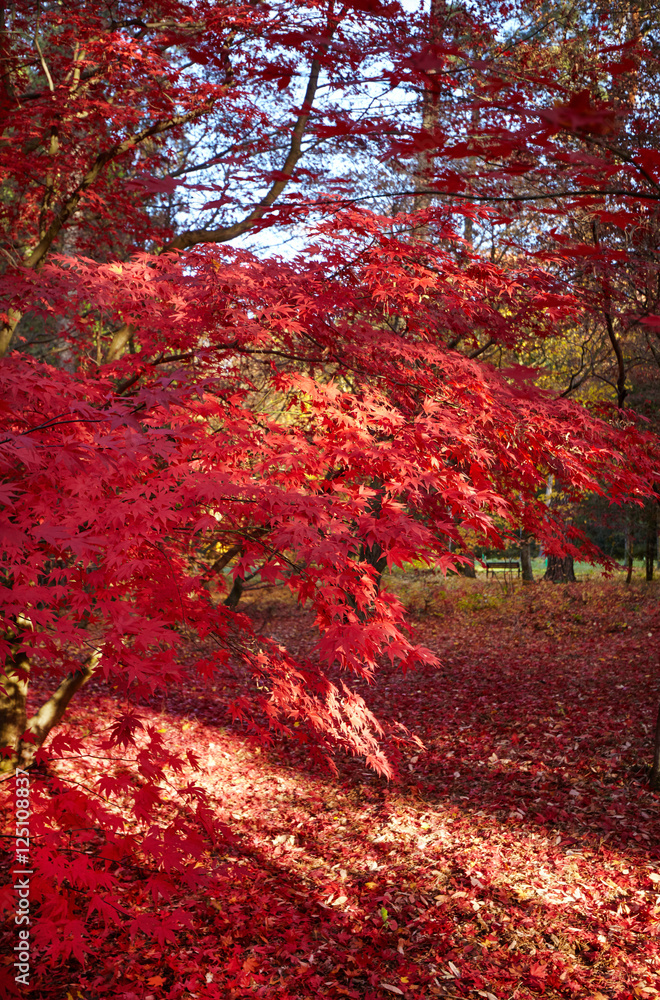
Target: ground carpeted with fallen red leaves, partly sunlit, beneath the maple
{"x":518,"y":854}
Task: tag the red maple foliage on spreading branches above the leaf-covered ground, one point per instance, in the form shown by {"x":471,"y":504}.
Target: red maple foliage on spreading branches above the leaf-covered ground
{"x":183,"y":410}
